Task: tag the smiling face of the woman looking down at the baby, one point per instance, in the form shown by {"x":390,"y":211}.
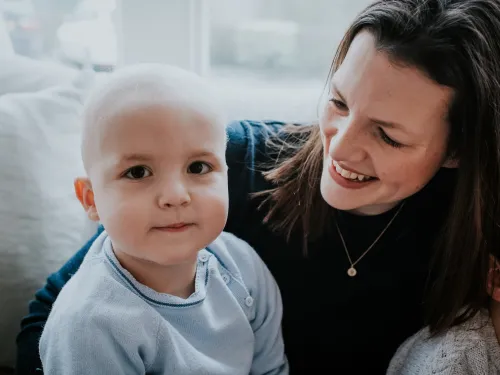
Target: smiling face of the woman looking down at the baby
{"x":384,"y":131}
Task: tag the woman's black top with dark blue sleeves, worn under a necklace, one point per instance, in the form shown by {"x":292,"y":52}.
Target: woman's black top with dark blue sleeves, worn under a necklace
{"x":332,"y":323}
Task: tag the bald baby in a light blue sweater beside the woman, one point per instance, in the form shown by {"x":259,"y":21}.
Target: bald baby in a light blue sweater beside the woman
{"x":162,"y":290}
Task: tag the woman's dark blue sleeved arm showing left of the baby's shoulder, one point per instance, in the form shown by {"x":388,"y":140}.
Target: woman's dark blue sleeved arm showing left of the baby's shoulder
{"x":28,"y":359}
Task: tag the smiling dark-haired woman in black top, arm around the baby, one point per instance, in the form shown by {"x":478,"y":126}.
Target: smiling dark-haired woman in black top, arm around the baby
{"x":347,"y":214}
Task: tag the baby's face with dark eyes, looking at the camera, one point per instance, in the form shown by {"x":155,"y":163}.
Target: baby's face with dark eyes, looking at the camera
{"x":159,"y":179}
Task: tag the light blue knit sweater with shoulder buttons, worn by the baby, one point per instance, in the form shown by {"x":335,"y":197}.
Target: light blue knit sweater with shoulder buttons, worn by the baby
{"x":105,"y":322}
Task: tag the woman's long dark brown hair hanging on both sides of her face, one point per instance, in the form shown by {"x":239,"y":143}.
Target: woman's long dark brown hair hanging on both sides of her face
{"x":457,"y":44}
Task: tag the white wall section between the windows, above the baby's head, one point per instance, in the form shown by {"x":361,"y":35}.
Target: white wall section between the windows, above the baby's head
{"x":170,"y":31}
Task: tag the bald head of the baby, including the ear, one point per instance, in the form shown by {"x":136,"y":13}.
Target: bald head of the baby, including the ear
{"x":153,"y":148}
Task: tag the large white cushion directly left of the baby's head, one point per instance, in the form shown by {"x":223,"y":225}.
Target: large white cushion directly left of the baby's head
{"x":41,"y":221}
